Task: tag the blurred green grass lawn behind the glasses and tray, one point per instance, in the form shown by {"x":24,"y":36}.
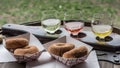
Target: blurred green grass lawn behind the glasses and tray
{"x":21,"y":11}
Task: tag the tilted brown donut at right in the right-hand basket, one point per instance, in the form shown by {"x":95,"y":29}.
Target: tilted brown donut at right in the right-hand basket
{"x":76,"y":52}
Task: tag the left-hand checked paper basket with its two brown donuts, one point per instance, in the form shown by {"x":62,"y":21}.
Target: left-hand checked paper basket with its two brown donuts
{"x":24,"y":47}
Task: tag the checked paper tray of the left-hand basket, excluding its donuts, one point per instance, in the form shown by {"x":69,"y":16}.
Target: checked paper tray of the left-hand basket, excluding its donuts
{"x":32,"y":41}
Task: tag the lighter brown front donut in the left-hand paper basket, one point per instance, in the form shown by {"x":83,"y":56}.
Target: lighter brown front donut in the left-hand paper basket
{"x":26,"y":50}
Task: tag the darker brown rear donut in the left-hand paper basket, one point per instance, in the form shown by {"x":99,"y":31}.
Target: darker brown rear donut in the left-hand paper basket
{"x":13,"y":43}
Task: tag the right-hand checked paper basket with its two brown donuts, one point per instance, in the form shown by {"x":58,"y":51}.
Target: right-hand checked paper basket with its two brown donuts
{"x":68,"y":51}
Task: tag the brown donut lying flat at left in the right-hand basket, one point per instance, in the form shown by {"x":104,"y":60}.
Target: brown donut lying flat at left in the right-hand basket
{"x":59,"y":48}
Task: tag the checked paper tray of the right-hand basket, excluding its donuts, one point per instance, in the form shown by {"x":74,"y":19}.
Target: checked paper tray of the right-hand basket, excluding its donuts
{"x":69,"y":61}
